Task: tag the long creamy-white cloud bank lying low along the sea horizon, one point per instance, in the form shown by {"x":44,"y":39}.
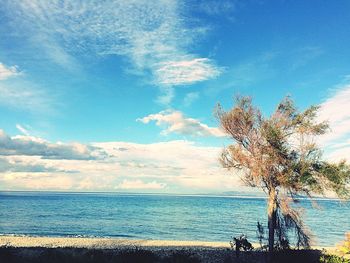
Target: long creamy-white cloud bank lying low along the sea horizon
{"x":174,"y":166}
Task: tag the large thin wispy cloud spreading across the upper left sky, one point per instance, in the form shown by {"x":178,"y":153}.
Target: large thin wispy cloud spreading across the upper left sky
{"x":153,"y":36}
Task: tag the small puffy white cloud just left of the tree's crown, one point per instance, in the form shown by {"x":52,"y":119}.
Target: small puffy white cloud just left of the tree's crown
{"x":175,"y":122}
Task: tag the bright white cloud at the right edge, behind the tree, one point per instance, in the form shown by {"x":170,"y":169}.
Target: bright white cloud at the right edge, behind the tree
{"x":336,"y":111}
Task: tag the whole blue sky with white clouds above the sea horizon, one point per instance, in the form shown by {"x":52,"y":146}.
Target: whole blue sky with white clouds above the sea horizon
{"x":119,"y":95}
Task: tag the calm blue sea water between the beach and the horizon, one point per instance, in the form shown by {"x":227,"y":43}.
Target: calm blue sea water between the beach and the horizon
{"x":204,"y":218}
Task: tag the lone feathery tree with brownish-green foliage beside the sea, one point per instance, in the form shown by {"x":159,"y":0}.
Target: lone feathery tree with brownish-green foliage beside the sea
{"x":279,"y":155}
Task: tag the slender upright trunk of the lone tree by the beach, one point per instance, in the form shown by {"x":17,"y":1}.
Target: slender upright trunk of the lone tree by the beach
{"x":272,"y":213}
